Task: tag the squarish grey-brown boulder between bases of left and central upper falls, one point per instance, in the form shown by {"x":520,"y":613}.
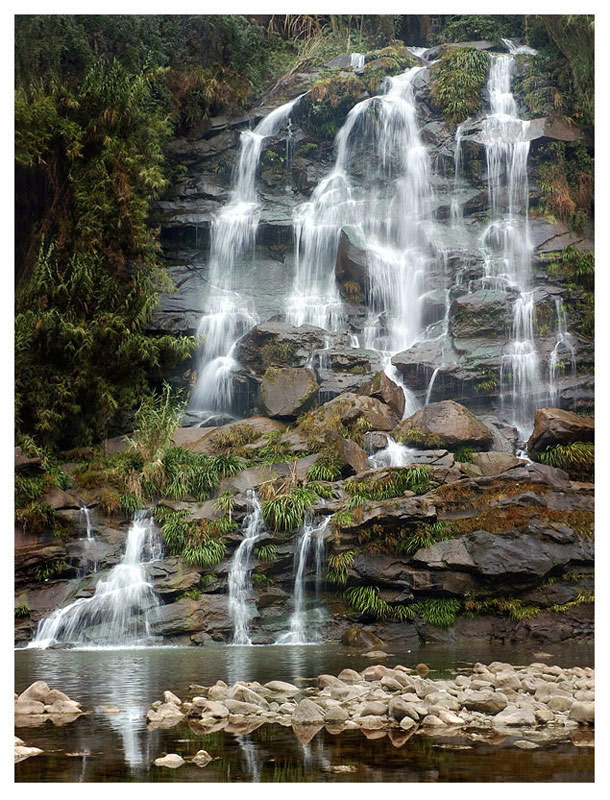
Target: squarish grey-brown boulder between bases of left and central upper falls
{"x":288,"y":392}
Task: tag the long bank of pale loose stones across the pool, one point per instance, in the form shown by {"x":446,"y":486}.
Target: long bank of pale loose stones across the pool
{"x":540,"y":703}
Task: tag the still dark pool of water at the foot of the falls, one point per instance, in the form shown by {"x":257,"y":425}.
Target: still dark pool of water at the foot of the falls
{"x":118,"y":747}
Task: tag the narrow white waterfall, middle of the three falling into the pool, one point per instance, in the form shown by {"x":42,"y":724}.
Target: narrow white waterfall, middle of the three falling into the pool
{"x":240,"y":572}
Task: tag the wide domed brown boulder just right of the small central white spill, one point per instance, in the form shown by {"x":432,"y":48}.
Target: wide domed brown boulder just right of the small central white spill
{"x":446,"y":424}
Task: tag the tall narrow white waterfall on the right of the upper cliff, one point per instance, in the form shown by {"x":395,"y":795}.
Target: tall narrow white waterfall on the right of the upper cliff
{"x":507,"y":240}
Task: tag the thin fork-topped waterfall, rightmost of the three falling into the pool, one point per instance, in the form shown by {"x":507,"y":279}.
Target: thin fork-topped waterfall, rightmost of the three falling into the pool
{"x":312,"y":535}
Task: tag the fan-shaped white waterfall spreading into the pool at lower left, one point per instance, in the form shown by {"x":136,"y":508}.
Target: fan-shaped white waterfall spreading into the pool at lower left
{"x":121,"y":603}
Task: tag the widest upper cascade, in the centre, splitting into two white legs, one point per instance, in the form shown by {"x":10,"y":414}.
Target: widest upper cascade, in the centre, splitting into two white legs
{"x":389,"y":207}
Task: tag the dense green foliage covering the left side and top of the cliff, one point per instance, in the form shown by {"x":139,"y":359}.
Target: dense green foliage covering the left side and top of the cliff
{"x":97,"y":99}
